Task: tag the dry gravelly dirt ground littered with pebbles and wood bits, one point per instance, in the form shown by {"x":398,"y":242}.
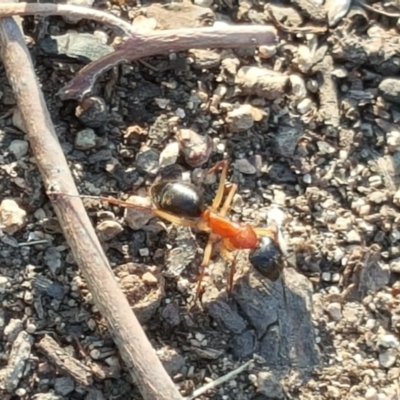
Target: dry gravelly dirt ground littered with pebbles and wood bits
{"x":310,"y":127}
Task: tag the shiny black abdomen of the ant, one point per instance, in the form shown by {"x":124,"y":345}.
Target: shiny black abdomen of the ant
{"x":179,"y":198}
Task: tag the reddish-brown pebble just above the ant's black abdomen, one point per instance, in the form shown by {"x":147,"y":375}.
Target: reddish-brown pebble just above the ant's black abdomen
{"x":195,"y":148}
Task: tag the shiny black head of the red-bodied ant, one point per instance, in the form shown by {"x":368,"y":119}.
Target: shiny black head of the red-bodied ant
{"x":267,"y":258}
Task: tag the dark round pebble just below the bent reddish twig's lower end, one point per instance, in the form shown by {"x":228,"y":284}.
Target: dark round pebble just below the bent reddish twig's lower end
{"x":92,"y":112}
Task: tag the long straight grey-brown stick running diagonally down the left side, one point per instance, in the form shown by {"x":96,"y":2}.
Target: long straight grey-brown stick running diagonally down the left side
{"x":135,"y":349}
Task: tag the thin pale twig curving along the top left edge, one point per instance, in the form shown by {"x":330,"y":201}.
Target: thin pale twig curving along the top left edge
{"x":12,"y":9}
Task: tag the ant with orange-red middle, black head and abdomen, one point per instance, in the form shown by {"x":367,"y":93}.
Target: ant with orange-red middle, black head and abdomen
{"x":182,"y":204}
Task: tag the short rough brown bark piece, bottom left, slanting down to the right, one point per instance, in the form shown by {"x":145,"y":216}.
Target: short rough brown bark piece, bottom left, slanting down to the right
{"x":64,"y":362}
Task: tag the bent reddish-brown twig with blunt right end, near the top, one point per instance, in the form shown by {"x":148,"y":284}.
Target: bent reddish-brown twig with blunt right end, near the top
{"x":164,"y":42}
